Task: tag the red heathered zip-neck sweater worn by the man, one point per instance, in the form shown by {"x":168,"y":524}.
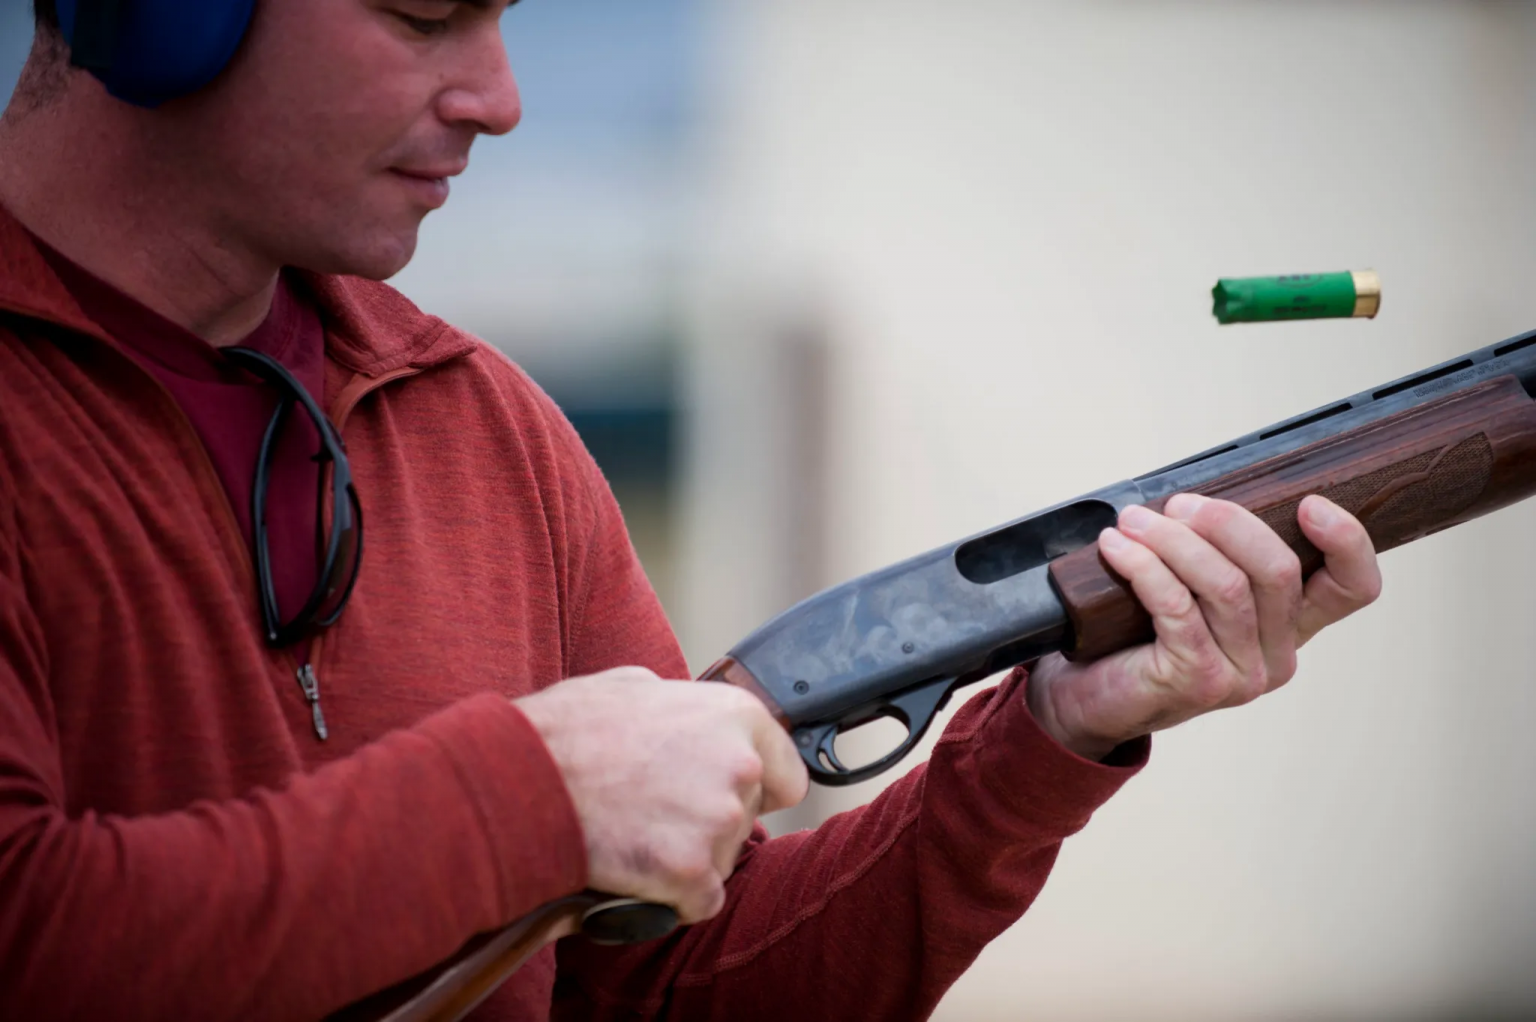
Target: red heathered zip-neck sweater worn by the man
{"x":176,"y":843}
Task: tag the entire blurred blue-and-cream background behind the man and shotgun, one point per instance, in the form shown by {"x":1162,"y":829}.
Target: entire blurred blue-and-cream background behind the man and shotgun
{"x":830,"y":282}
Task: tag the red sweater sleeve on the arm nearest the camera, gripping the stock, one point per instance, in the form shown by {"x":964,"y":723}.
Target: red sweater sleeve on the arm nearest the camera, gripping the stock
{"x":286,"y":904}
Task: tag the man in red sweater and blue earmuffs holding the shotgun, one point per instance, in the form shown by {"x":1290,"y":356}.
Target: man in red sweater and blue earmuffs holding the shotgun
{"x":228,"y":791}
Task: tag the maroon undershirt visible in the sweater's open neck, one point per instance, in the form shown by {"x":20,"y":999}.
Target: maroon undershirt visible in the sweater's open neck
{"x":231,"y":410}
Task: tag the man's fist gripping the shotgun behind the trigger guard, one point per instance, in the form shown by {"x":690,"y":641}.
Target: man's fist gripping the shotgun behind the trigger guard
{"x":667,"y":778}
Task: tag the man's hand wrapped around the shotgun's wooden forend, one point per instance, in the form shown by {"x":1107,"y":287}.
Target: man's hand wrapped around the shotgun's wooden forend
{"x":1231,"y":611}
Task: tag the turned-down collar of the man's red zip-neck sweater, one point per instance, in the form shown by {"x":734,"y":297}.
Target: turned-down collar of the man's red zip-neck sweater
{"x":371,"y":328}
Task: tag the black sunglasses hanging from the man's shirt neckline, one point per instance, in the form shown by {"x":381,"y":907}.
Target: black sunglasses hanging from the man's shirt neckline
{"x":343,"y":556}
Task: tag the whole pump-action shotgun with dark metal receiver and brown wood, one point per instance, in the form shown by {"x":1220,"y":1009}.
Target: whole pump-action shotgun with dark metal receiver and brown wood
{"x":1408,"y":459}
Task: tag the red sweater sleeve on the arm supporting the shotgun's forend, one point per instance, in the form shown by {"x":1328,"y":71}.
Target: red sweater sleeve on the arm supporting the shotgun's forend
{"x":878,"y":912}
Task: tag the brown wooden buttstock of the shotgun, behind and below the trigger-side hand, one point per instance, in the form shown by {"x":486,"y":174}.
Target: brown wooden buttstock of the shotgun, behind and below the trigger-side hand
{"x":449,"y":992}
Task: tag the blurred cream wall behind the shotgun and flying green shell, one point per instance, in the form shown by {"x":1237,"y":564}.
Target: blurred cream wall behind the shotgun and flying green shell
{"x":1005,"y":219}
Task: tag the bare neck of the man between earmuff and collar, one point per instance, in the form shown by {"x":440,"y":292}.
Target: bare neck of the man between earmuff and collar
{"x":88,"y":190}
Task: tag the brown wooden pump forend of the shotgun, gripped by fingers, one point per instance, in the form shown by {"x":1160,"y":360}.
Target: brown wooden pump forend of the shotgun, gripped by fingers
{"x":1405,"y":477}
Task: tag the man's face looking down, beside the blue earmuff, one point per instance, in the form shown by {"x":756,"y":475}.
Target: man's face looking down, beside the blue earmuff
{"x":336,"y":130}
